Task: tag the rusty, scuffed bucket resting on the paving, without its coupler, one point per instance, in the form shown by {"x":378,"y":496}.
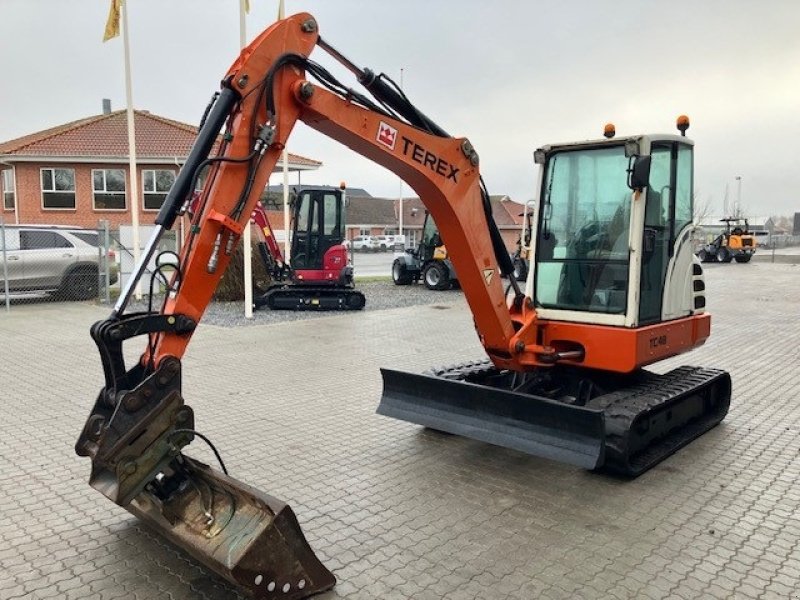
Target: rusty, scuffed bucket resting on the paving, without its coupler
{"x":250,"y":538}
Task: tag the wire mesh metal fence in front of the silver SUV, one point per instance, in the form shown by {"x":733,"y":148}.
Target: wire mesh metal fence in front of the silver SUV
{"x":43,"y":263}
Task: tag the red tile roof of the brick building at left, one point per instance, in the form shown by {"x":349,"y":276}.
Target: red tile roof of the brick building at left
{"x":107,"y":136}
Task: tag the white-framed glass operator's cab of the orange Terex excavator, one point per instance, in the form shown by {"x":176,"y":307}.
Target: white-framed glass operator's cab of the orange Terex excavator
{"x":603,"y":250}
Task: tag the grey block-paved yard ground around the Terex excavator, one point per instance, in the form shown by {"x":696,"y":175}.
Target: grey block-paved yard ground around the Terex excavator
{"x":397,"y":511}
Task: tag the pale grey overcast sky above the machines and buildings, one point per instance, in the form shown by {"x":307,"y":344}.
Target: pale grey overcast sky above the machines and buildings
{"x":510,"y":75}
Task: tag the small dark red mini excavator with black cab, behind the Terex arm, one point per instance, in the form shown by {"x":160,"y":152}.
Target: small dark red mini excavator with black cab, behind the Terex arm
{"x":318,"y":275}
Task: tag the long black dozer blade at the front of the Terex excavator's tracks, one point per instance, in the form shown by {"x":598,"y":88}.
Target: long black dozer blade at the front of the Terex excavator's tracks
{"x":530,"y":424}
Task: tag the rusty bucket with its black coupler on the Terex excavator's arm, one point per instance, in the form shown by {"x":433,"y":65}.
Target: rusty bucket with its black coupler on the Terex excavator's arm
{"x":134,"y":438}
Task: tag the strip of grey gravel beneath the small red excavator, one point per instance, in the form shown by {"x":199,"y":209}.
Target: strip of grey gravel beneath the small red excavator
{"x":381,"y":295}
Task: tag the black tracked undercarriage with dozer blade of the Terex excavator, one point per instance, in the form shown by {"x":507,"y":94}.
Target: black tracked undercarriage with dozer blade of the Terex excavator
{"x":622,"y":423}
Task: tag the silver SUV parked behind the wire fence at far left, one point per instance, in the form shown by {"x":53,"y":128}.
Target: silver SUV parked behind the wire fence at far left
{"x":64,"y":261}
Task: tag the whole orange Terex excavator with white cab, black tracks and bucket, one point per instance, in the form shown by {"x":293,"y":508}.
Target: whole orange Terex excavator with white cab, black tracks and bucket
{"x":613,"y":286}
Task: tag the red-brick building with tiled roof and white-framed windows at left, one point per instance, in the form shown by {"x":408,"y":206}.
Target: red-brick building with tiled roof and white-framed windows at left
{"x":78,"y":173}
